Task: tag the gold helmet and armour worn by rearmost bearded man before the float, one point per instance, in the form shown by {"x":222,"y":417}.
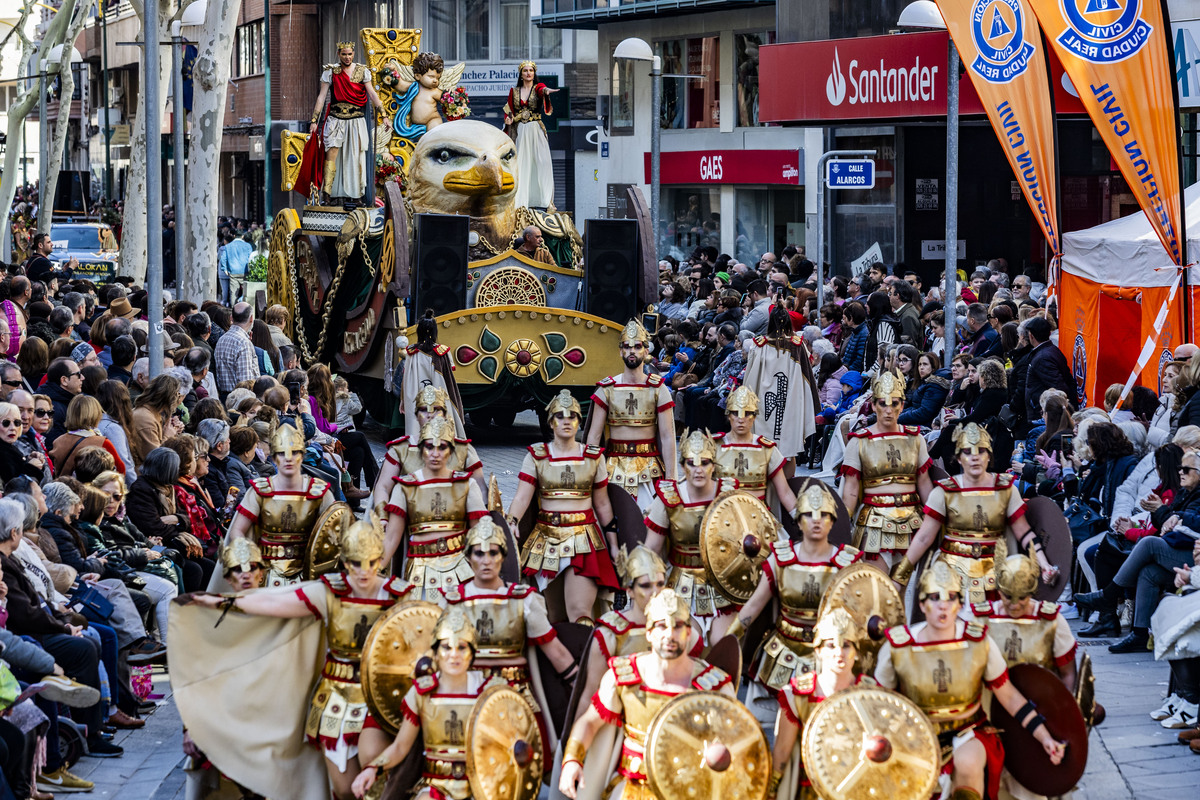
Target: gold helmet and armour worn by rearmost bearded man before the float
{"x":633,"y":462}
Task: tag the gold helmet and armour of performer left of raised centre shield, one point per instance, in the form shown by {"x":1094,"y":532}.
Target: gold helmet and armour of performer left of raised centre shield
{"x":675,"y":515}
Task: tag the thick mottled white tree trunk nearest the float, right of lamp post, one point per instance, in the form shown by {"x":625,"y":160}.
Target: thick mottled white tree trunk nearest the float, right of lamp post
{"x":211,"y":82}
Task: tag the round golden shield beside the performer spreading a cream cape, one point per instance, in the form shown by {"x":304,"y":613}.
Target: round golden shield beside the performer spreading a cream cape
{"x":401,"y":636}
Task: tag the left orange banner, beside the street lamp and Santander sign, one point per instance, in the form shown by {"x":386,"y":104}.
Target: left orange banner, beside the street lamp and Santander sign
{"x":1000,"y":44}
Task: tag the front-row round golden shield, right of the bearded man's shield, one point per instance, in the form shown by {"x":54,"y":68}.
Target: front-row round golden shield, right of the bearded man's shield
{"x":871,"y":743}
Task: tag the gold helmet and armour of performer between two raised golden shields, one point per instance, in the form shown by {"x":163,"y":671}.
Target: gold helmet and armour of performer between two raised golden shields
{"x":799,"y":586}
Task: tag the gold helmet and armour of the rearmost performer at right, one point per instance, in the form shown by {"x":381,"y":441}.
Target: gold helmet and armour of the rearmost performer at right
{"x":887,"y":521}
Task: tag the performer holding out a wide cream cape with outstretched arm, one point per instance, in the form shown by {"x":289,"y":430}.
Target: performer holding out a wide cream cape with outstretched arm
{"x":347,"y":604}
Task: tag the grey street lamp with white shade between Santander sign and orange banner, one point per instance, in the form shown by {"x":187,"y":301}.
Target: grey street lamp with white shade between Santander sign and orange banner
{"x":926,"y":15}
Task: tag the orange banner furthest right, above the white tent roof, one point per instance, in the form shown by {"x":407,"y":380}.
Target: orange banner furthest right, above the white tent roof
{"x":1115,"y":53}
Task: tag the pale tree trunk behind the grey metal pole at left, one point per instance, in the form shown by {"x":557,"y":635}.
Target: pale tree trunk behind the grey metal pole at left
{"x":134,"y":222}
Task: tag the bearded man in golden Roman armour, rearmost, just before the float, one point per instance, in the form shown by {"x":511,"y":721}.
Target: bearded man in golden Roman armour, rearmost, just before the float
{"x":637,"y":410}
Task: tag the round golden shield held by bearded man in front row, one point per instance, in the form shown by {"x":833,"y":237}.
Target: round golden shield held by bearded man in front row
{"x":707,"y":745}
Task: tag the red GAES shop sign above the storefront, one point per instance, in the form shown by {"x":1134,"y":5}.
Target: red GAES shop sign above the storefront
{"x":730,"y":167}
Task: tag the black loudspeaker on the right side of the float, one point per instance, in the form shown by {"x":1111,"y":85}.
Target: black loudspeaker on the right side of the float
{"x":610,"y":257}
